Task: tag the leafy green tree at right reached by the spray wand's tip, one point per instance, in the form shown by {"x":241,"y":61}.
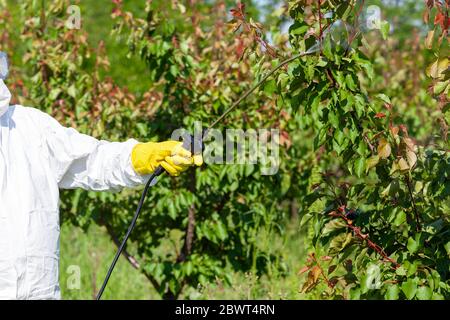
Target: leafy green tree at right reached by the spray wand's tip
{"x":378,"y":201}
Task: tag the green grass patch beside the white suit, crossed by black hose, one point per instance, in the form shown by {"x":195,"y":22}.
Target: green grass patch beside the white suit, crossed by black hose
{"x":88,"y":255}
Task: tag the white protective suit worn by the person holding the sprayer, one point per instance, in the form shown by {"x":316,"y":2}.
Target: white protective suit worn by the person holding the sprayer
{"x":38,"y":156}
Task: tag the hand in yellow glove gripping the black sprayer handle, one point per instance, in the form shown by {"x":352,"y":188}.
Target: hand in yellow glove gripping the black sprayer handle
{"x":146,"y":157}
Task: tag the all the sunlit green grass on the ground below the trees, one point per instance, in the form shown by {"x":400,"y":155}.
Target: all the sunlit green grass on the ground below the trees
{"x":87,"y":256}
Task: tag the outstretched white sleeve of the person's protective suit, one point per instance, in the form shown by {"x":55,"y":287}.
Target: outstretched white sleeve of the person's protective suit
{"x":81,"y":161}
